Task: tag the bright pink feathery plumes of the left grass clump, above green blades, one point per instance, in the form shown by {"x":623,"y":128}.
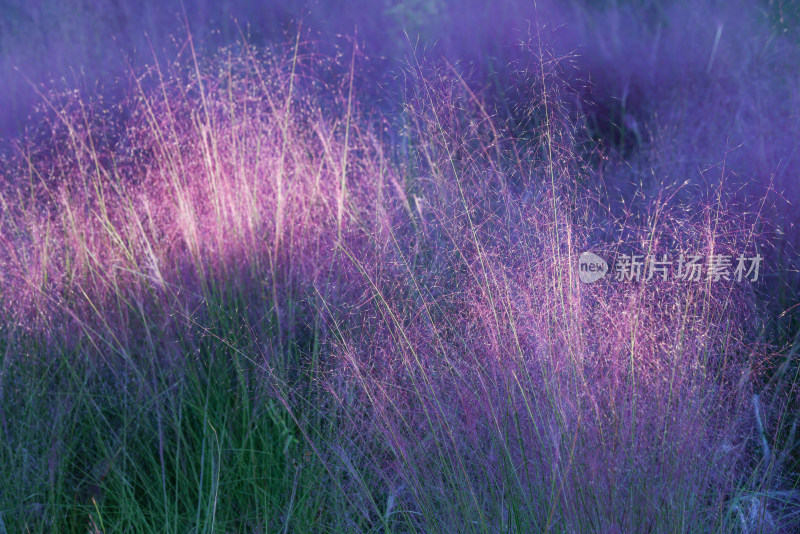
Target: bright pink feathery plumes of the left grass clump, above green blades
{"x":224,"y":176}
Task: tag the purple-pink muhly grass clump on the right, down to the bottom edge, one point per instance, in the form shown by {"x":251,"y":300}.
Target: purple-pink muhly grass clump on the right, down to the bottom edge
{"x":504,"y":394}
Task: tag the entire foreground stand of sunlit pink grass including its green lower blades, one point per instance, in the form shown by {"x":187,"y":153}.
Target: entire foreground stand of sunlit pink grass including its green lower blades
{"x":232,"y":305}
